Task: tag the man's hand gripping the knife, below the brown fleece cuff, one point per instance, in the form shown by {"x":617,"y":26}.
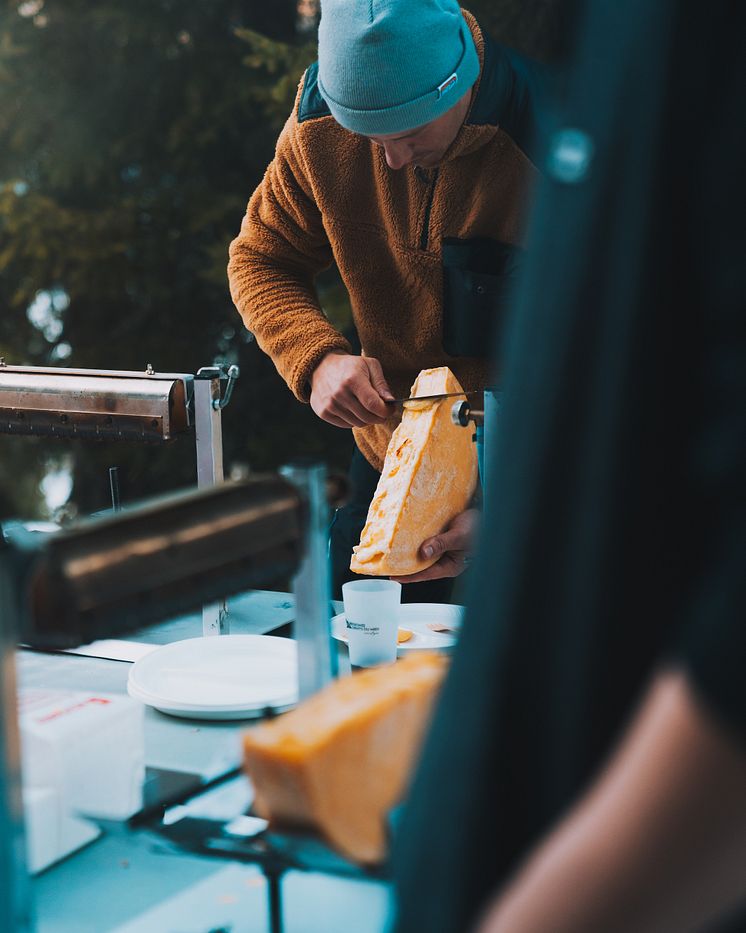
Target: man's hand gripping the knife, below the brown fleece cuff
{"x":350,"y":391}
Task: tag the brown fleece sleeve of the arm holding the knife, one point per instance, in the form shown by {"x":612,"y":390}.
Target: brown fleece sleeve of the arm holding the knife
{"x":281,"y":247}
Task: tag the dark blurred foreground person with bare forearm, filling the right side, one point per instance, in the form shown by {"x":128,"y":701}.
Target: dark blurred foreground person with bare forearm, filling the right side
{"x":599,"y":690}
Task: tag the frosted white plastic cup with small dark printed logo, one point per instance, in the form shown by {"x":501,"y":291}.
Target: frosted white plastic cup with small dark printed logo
{"x":372,"y":616}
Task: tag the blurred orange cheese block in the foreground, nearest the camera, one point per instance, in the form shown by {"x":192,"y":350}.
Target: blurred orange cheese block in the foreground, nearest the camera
{"x":341,"y":760}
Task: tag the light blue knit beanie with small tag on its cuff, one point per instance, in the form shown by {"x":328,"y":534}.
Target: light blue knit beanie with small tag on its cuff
{"x":388,"y":66}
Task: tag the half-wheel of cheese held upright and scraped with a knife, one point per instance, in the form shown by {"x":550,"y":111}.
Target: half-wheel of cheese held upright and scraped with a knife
{"x":428,"y":478}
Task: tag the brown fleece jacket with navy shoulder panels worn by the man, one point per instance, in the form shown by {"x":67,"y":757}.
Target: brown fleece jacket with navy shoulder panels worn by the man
{"x":328,"y":195}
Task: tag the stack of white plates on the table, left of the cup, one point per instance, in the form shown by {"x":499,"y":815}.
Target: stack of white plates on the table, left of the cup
{"x":220,"y":677}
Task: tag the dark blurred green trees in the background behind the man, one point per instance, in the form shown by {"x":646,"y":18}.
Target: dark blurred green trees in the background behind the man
{"x":131,"y":136}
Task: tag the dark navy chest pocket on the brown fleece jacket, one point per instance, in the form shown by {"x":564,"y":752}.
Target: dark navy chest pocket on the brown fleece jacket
{"x":478,"y":279}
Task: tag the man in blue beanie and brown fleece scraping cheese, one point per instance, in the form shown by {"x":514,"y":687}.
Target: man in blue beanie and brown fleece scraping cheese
{"x":405,"y":162}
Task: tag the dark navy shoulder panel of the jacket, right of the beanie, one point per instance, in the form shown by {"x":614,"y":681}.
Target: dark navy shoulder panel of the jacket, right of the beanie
{"x":514,"y":95}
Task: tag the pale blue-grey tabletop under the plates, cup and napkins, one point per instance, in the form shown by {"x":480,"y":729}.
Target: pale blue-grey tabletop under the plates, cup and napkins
{"x":131,"y":881}
